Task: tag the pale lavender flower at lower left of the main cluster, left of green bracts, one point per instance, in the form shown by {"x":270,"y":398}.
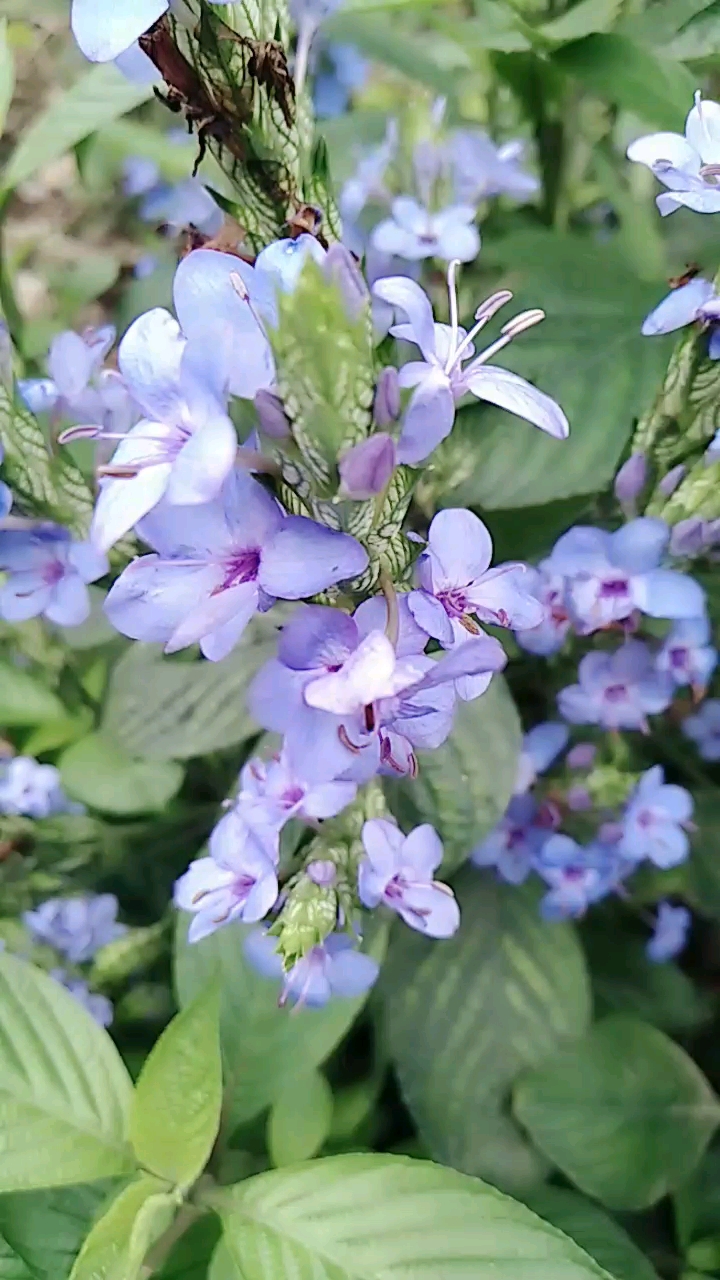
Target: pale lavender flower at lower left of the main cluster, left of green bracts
{"x":238,"y":883}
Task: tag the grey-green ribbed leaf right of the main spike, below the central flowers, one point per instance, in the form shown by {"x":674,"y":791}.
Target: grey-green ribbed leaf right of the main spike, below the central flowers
{"x":464,"y":787}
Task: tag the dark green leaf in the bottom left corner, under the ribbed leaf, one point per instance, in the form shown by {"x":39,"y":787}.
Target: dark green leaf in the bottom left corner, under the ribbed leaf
{"x":43,"y":1232}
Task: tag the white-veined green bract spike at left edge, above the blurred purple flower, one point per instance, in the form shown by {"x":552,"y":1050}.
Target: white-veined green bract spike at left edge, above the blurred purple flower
{"x":43,"y":483}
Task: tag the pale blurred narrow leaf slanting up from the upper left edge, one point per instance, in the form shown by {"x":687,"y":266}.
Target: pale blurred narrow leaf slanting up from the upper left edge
{"x":98,"y":98}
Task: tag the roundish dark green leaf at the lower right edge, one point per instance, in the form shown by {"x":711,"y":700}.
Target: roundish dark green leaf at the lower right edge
{"x":626,"y":1114}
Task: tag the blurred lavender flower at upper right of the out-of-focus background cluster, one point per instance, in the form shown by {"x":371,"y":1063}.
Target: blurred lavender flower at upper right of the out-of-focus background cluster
{"x":482,"y":170}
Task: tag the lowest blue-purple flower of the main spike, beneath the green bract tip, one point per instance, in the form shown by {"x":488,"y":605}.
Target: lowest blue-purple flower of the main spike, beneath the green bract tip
{"x":331,"y":968}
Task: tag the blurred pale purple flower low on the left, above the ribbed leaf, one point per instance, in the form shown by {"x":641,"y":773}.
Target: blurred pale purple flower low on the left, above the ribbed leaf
{"x":78,"y":927}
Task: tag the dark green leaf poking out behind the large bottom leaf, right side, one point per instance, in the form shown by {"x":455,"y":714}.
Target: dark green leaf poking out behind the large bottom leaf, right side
{"x":595,"y":1231}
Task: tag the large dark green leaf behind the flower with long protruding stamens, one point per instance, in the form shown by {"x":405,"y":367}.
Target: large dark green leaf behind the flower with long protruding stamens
{"x":589,"y":355}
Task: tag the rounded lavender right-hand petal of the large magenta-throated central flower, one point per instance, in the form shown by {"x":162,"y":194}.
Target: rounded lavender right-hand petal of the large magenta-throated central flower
{"x":304,"y":559}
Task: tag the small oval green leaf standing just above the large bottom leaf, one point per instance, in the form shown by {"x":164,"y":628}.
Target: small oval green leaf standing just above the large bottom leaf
{"x":300,"y":1121}
